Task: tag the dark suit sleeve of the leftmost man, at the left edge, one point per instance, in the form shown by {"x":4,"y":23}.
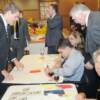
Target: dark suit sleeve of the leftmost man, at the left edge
{"x":3,"y":47}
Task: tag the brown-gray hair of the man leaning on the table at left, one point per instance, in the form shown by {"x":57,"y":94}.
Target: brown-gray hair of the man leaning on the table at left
{"x":11,"y":7}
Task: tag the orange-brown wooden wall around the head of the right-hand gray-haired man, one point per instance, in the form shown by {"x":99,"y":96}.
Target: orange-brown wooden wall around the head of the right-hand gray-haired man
{"x":65,"y":6}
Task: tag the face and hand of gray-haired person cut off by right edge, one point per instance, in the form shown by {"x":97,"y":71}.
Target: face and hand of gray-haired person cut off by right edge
{"x":96,"y":58}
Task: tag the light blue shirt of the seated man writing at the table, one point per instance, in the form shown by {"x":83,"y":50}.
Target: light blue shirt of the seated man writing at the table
{"x":73,"y":67}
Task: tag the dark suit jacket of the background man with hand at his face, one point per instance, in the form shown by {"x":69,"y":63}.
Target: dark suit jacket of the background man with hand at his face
{"x":54,"y":30}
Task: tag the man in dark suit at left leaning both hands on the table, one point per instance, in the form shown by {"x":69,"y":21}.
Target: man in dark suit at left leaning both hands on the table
{"x":9,"y":16}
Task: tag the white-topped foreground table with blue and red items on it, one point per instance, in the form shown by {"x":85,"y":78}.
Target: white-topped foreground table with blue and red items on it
{"x":41,"y":92}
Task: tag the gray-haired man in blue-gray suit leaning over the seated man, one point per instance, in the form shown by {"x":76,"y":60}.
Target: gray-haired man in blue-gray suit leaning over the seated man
{"x":81,"y":14}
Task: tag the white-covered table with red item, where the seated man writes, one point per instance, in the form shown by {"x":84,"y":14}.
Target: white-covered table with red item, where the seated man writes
{"x":33,"y":71}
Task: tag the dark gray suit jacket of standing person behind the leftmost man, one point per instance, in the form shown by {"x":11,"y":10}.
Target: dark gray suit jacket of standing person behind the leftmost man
{"x":23,"y":35}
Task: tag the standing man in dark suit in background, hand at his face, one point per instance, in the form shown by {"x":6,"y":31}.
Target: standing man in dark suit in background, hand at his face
{"x":54,"y":29}
